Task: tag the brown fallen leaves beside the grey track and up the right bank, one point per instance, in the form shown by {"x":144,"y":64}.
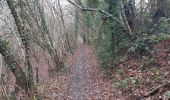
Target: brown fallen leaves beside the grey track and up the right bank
{"x":99,"y":86}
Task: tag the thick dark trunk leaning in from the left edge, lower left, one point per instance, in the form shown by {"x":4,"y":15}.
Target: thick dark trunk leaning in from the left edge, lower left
{"x":13,"y":65}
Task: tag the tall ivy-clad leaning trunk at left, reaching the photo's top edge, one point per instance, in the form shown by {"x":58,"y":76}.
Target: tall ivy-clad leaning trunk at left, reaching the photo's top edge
{"x":24,"y":37}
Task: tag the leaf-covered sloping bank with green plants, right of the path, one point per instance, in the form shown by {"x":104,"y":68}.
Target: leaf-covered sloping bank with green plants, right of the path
{"x":147,"y":77}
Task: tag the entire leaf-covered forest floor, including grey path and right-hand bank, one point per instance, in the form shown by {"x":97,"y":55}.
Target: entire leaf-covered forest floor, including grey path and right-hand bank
{"x":145,"y":78}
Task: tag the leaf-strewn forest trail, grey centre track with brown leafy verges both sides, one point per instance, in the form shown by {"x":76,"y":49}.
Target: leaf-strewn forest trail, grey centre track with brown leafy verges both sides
{"x":85,"y":81}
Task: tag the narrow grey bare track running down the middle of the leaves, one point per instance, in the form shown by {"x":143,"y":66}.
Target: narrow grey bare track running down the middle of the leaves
{"x":77,"y":82}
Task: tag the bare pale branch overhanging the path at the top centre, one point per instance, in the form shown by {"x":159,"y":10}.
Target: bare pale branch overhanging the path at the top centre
{"x":91,"y":9}
